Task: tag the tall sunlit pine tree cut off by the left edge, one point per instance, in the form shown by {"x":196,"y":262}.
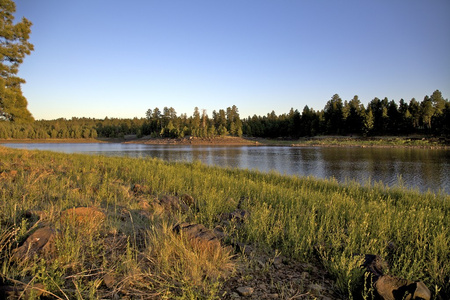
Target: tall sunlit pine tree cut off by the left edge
{"x":14,"y":46}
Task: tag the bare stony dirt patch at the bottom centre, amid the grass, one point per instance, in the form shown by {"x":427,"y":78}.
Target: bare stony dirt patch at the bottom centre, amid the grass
{"x":261,"y":276}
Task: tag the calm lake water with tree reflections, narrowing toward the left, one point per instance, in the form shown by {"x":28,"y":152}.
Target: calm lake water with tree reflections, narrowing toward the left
{"x":423,"y":169}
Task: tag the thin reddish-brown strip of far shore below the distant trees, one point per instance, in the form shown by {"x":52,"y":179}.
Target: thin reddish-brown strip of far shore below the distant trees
{"x":322,"y":141}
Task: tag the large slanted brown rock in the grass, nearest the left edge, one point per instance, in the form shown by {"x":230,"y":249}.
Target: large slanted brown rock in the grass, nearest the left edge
{"x":41,"y":243}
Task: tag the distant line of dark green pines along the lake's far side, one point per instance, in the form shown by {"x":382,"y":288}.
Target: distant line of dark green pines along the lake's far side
{"x":380,"y":117}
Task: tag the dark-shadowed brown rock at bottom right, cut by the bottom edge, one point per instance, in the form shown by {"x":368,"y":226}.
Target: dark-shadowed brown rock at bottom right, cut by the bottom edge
{"x":393,"y":288}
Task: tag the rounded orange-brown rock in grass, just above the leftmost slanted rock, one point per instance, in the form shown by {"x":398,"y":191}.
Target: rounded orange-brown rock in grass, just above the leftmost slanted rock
{"x":86,"y":217}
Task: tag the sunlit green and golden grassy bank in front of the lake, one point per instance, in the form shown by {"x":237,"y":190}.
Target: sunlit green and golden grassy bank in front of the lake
{"x":301,"y":219}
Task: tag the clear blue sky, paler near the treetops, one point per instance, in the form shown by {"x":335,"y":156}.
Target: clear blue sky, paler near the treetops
{"x":98,"y":58}
